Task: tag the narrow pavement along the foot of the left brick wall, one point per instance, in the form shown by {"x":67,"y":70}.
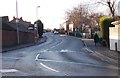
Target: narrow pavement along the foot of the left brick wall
{"x":41,"y":40}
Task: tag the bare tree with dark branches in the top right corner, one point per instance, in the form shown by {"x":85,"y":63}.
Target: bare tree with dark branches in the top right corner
{"x":110,"y":4}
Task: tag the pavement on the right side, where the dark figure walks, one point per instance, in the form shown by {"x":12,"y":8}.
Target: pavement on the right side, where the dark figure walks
{"x":103,"y":53}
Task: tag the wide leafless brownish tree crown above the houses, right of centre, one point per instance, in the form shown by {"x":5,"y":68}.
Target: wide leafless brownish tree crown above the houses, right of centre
{"x":82,"y":15}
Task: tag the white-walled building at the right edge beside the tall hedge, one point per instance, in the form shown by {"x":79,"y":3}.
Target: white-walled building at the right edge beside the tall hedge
{"x":114,"y":35}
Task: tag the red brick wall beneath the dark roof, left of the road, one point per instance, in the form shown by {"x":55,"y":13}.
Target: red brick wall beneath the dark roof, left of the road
{"x":9,"y":38}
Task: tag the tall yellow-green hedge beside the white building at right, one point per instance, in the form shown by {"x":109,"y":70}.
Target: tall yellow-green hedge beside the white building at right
{"x":105,"y":23}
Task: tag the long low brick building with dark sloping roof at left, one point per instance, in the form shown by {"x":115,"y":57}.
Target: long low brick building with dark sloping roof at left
{"x":9,"y":33}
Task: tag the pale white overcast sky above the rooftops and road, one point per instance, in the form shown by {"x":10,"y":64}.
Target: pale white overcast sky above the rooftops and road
{"x":51,"y":12}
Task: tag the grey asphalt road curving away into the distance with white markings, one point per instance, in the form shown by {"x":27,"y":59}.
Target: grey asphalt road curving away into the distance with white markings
{"x":60,"y":55}
